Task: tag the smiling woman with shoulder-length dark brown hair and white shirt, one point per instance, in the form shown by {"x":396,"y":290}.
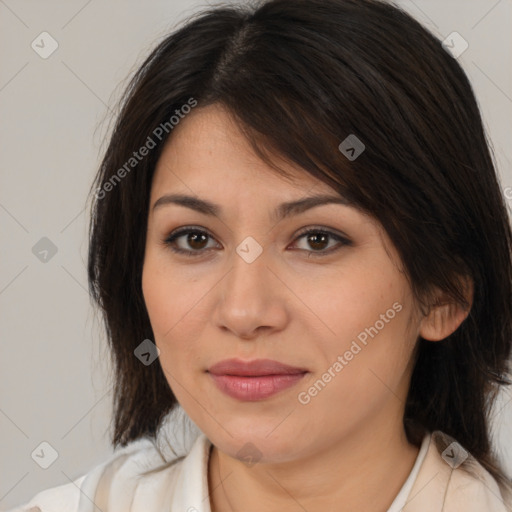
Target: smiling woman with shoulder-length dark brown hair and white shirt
{"x":298,"y":237}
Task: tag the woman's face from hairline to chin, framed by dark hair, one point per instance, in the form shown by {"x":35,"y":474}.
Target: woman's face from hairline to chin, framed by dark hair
{"x":256,"y":287}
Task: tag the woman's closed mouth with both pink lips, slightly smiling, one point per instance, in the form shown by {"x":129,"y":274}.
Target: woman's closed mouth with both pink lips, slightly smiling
{"x":254,"y":380}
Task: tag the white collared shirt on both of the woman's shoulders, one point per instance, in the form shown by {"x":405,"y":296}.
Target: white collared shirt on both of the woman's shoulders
{"x":118,"y":485}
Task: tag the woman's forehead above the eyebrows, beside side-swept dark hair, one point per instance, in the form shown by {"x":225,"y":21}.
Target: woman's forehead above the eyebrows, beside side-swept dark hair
{"x":206,"y":151}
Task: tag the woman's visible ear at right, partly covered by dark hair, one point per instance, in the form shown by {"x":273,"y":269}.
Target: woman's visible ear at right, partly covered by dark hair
{"x":445,"y":316}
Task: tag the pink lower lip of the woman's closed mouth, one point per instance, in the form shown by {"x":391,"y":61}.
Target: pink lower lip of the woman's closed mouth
{"x":255,"y":388}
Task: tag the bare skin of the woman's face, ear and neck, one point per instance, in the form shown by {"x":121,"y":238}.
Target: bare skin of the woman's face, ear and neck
{"x":299,"y":302}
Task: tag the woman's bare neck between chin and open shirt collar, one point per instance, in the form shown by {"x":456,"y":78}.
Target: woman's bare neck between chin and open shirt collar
{"x":354,"y":474}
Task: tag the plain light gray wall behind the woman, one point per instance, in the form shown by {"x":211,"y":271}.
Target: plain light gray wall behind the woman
{"x":54,"y":366}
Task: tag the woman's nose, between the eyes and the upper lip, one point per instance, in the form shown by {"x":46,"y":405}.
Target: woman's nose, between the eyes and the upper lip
{"x":251,"y":299}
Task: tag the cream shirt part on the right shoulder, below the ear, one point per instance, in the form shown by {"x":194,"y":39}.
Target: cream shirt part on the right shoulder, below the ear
{"x":453,"y":480}
